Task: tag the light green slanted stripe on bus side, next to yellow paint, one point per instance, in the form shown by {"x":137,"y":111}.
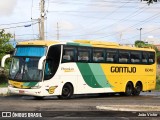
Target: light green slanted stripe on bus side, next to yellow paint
{"x":99,"y":75}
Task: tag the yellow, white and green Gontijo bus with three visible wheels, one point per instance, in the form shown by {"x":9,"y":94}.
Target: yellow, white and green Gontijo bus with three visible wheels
{"x":45,"y":68}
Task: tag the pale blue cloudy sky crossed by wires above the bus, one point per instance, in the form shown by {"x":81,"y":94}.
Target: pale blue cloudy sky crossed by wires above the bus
{"x":103,"y":20}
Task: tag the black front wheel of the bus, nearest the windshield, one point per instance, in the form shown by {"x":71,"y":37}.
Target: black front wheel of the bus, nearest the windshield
{"x":67,"y":92}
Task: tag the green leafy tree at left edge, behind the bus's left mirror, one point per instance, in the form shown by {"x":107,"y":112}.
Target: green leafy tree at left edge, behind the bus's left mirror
{"x":5,"y":46}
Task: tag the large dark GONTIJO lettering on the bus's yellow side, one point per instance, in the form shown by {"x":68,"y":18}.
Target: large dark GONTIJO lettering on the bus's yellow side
{"x":116,"y":69}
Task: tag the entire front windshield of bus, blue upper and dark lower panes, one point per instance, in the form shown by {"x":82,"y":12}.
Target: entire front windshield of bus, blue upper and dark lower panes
{"x":24,"y":65}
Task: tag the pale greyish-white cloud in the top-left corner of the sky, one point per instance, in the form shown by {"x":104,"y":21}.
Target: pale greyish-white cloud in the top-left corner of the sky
{"x":7,"y":7}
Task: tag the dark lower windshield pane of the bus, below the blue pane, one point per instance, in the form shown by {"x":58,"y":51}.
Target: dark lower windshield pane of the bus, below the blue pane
{"x":25,"y":69}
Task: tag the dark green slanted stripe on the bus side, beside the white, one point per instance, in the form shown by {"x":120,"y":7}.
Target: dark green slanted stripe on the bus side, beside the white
{"x":88,"y":75}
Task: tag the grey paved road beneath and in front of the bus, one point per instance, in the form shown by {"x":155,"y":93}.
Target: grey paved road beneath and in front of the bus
{"x":85,"y":105}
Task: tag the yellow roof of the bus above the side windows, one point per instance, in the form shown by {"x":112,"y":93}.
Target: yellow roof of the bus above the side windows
{"x":88,"y":43}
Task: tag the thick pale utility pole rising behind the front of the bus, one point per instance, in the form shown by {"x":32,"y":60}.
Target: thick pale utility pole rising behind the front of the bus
{"x":42,"y":15}
